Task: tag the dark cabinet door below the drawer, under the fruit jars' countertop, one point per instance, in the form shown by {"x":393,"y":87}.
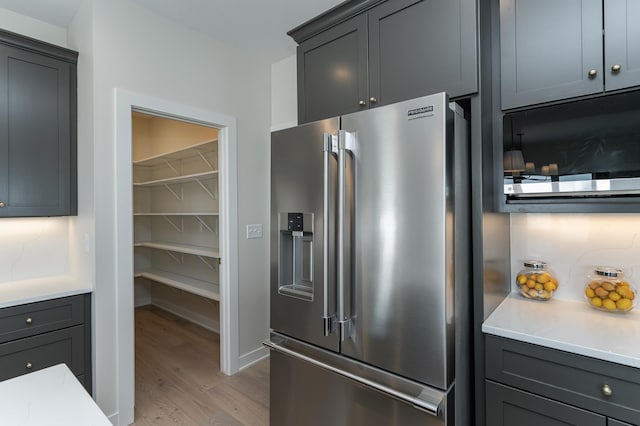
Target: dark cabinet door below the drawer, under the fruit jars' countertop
{"x":508,"y":406}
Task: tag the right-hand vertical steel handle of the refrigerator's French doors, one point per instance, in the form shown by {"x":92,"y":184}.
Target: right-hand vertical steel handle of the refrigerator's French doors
{"x":345,"y":143}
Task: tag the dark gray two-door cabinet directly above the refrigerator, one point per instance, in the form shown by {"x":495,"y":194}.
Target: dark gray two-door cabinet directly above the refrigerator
{"x":367,"y":53}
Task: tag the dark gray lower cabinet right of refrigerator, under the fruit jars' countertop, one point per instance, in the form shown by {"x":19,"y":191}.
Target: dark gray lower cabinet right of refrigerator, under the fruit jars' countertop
{"x":532,"y":385}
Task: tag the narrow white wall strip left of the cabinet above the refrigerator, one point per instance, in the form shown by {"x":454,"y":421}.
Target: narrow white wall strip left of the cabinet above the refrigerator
{"x":284,"y":96}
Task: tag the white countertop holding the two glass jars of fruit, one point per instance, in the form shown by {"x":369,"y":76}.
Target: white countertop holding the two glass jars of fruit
{"x":569,"y":326}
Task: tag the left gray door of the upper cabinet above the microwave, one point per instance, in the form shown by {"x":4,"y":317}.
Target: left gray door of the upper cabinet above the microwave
{"x":548,"y":48}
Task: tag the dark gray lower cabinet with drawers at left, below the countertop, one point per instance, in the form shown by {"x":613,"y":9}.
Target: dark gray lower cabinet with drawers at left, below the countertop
{"x":42,"y":334}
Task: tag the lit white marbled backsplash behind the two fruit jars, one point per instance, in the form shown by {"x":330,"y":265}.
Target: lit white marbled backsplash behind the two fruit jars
{"x":574,"y":244}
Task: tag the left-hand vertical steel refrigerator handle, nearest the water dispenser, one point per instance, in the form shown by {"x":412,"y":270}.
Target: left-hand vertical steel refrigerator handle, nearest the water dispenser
{"x":329,"y":319}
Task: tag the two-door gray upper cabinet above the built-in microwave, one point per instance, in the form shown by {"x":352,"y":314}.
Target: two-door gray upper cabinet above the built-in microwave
{"x":552,"y":50}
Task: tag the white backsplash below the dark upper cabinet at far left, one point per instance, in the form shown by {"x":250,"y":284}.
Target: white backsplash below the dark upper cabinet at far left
{"x":33,"y":248}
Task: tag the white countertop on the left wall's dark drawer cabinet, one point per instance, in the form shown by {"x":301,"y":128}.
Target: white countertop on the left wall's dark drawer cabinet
{"x":19,"y":292}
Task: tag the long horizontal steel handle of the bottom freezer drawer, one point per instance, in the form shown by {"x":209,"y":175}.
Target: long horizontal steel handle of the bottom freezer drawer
{"x":422,"y":402}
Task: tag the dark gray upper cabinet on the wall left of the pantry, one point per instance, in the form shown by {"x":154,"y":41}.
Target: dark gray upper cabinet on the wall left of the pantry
{"x":38,"y":122}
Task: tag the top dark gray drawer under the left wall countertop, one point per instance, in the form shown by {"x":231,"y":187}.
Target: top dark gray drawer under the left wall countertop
{"x":21,"y":321}
